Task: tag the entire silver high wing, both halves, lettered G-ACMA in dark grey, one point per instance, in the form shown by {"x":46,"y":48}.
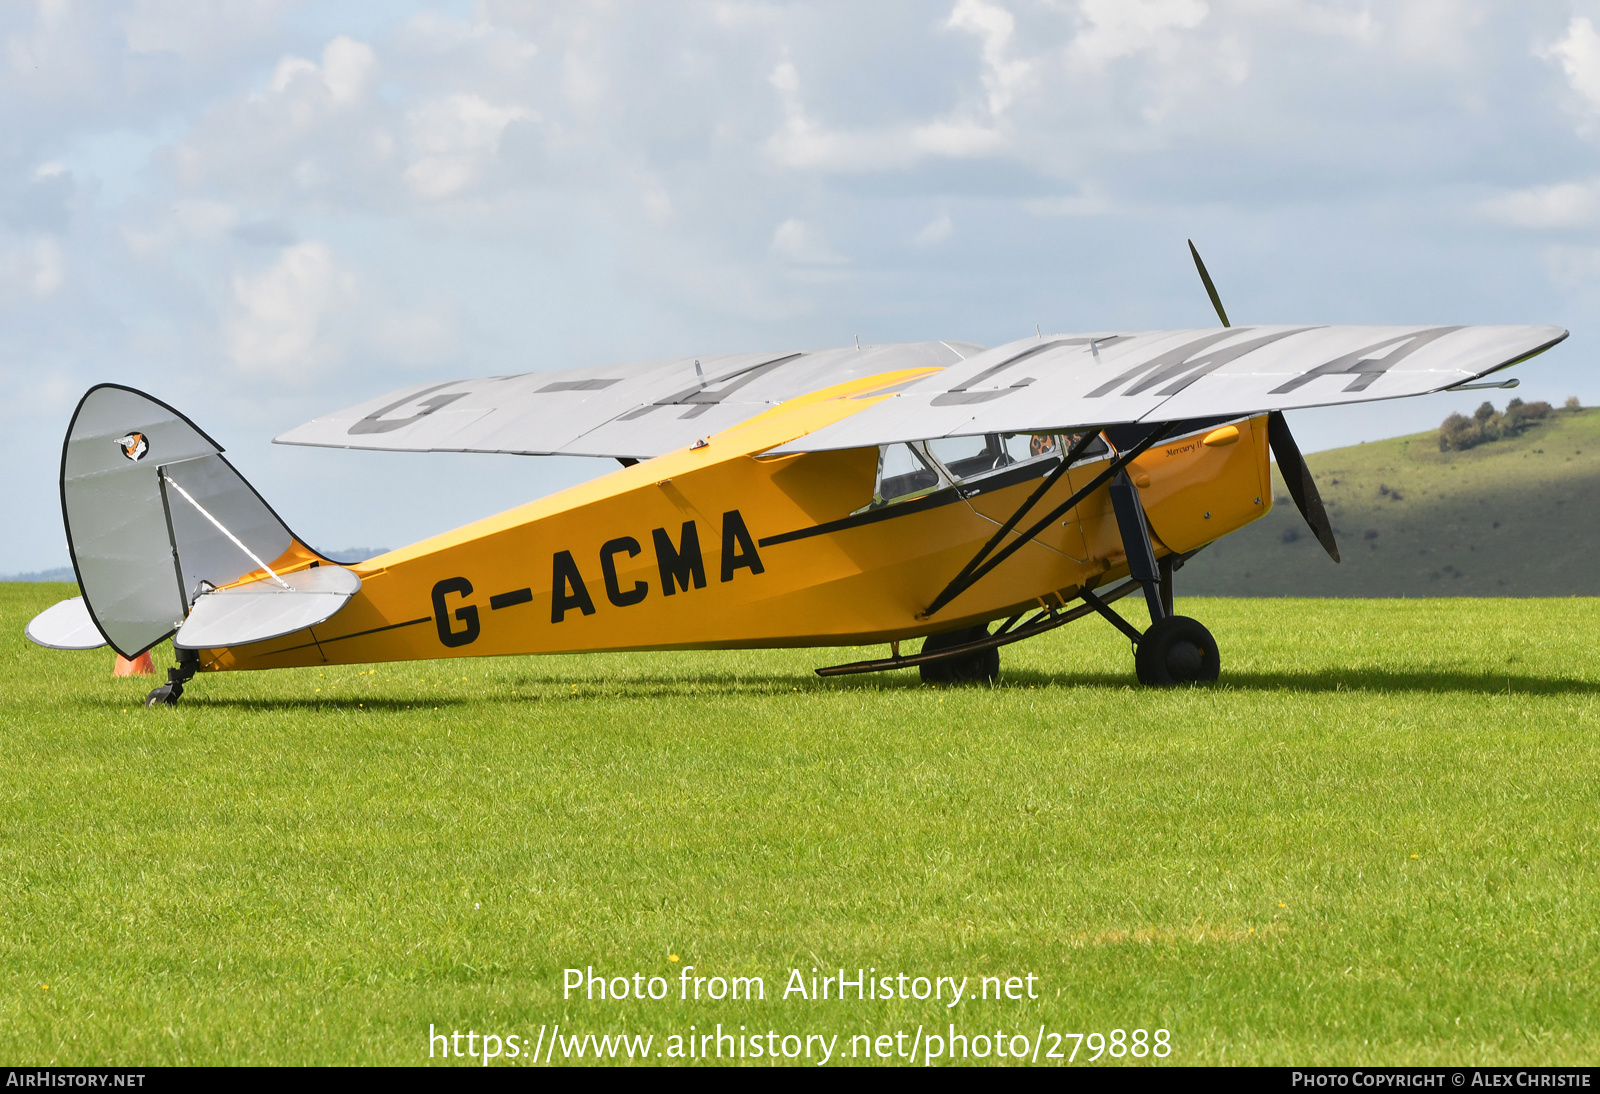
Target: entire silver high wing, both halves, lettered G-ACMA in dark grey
{"x":1044,"y":385}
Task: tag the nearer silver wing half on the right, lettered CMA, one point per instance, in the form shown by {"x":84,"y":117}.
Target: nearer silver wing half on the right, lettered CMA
{"x":1110,"y":378}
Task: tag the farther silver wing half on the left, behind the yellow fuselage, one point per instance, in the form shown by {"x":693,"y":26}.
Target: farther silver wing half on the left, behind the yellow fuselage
{"x":633,"y":412}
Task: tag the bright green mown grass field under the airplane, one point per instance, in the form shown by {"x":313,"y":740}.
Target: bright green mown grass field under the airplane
{"x":1374,"y":844}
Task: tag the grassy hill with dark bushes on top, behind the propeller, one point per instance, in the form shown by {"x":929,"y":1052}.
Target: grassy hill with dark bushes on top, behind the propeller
{"x":1516,"y":517}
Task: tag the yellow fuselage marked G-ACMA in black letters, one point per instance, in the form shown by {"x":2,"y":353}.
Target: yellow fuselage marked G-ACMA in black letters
{"x":719,"y":548}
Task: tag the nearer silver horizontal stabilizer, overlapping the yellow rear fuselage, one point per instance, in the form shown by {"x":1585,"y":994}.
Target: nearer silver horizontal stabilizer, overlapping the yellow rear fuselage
{"x":268,"y":609}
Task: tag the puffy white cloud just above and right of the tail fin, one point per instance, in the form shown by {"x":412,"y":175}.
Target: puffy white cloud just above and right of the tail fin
{"x":284,"y":313}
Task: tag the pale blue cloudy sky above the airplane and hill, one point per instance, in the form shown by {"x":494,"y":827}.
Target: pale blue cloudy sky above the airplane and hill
{"x":265,"y":212}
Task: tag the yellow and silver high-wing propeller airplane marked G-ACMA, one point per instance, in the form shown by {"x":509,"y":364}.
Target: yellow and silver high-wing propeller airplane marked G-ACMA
{"x":967,"y":497}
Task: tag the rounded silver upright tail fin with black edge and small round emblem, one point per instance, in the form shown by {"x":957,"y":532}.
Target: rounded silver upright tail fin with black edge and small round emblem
{"x":158,"y":519}
